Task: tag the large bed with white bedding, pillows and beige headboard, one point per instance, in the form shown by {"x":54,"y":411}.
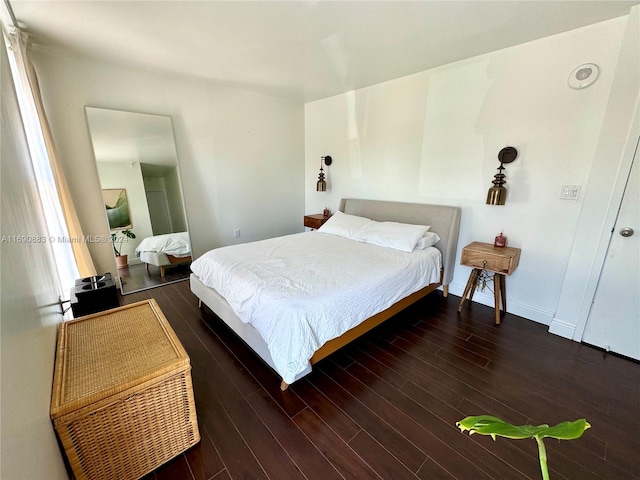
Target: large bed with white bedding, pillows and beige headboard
{"x":273,"y":303}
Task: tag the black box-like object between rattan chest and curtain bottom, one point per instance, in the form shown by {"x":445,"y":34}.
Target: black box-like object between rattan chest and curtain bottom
{"x":94,"y":294}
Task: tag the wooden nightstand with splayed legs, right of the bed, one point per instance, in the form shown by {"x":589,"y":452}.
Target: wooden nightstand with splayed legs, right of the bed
{"x":484,"y":257}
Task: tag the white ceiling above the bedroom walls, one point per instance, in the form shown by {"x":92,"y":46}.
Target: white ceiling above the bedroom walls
{"x":304,"y":50}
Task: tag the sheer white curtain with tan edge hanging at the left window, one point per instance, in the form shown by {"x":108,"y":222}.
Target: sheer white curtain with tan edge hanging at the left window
{"x":64,"y":231}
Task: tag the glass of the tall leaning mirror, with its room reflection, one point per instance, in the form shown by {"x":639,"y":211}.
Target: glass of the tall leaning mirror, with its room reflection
{"x":138,"y":168}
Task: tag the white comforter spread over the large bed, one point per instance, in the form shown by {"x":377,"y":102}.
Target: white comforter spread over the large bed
{"x":301,"y":290}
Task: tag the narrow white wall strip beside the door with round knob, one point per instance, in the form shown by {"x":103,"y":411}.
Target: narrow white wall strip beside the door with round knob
{"x":614,"y":155}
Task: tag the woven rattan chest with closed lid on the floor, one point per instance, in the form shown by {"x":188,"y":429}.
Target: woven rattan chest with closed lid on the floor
{"x":122,"y":401}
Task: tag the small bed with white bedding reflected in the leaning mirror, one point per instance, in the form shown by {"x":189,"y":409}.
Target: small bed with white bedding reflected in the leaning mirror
{"x":165,"y":250}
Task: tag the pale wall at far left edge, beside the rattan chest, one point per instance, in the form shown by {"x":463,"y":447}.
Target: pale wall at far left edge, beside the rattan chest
{"x":29,"y":314}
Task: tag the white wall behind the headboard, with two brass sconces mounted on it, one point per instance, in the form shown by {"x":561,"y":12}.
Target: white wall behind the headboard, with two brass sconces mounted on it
{"x":433,"y":137}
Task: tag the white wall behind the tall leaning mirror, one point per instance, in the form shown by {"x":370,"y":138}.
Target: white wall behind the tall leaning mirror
{"x":240,"y":153}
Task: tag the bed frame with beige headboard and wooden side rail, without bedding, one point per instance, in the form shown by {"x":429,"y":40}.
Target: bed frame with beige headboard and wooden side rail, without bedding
{"x":444,"y":220}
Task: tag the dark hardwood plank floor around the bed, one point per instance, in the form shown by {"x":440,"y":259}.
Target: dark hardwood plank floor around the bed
{"x":385,"y":406}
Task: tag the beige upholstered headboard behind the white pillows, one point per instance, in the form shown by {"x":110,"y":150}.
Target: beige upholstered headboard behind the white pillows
{"x":444,"y":220}
